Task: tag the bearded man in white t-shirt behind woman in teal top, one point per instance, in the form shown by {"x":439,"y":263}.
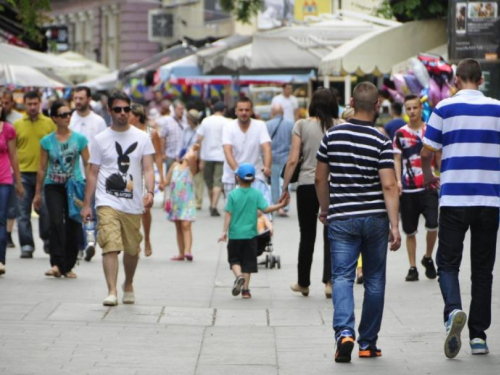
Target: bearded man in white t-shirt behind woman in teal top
{"x":88,"y":123}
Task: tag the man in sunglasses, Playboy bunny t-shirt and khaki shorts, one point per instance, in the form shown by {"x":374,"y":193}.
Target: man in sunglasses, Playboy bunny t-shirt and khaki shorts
{"x":120,"y":157}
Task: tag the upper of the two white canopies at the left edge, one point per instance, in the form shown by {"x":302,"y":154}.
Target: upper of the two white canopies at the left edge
{"x":18,"y":56}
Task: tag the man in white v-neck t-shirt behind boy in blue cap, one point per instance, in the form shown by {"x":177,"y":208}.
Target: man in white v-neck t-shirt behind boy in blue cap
{"x":243,"y":141}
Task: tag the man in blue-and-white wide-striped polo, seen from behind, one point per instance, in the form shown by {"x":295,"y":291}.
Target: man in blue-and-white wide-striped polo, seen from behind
{"x":466,"y":128}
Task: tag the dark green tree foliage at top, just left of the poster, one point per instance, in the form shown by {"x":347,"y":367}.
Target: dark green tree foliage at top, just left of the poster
{"x":411,"y":10}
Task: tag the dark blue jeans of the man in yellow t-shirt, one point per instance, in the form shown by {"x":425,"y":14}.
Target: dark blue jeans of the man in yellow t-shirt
{"x":24,"y":205}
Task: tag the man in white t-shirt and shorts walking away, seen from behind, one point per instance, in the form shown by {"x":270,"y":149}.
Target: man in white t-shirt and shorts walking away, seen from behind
{"x":212,"y":154}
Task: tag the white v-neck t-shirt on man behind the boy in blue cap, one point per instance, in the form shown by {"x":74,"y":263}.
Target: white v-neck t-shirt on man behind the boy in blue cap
{"x":246,"y":147}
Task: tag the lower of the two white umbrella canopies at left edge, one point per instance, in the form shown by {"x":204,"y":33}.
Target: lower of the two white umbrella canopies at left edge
{"x":26,"y":76}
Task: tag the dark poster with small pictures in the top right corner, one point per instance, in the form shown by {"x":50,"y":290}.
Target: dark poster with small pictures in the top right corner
{"x":474,"y":28}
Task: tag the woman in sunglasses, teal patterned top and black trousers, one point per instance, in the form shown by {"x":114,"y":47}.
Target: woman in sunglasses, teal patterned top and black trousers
{"x":60,"y":162}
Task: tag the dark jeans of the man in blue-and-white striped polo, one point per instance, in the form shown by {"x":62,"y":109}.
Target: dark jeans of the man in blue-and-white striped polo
{"x":454,"y":222}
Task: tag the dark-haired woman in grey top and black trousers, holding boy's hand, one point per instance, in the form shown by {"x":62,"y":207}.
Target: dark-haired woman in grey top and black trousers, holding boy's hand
{"x":306,"y":138}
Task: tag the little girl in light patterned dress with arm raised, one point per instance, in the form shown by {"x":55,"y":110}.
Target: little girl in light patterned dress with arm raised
{"x":182,"y":210}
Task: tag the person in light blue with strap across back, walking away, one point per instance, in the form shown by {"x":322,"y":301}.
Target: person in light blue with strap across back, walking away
{"x":280,"y":131}
